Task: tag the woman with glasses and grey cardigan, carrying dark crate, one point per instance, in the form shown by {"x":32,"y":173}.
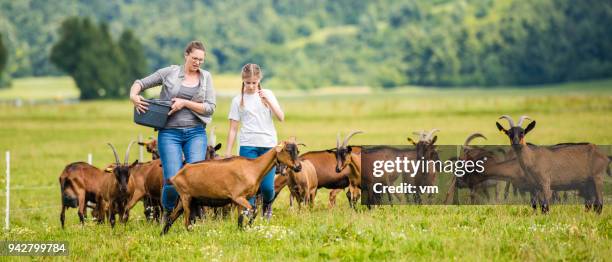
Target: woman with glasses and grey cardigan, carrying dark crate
{"x":193,"y":102}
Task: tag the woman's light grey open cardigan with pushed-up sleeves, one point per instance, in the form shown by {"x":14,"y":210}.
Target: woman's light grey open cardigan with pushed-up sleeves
{"x":171,"y":79}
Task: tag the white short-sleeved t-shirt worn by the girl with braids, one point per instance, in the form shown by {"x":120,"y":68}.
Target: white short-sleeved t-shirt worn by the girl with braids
{"x":257,"y":128}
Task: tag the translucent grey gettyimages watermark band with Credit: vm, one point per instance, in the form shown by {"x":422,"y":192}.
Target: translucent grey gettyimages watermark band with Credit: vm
{"x":454,"y":174}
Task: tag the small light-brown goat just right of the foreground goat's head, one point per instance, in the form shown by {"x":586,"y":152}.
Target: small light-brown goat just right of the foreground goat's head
{"x":302,"y":184}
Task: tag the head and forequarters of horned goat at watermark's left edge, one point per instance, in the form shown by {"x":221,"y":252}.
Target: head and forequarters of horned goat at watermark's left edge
{"x":346,"y":156}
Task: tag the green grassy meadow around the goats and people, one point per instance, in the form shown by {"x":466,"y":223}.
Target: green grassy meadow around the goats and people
{"x":44,"y":138}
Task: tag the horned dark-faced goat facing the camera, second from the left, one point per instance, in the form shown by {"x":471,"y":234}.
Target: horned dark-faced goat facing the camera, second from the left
{"x":115,"y":193}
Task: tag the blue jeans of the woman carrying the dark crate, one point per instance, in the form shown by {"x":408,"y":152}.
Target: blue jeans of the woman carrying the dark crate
{"x":173,"y":144}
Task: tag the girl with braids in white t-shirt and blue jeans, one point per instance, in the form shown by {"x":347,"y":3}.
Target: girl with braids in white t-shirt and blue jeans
{"x":252,"y":110}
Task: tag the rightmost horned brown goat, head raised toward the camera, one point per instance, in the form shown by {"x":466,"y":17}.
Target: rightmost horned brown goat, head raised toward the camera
{"x":569,"y":167}
